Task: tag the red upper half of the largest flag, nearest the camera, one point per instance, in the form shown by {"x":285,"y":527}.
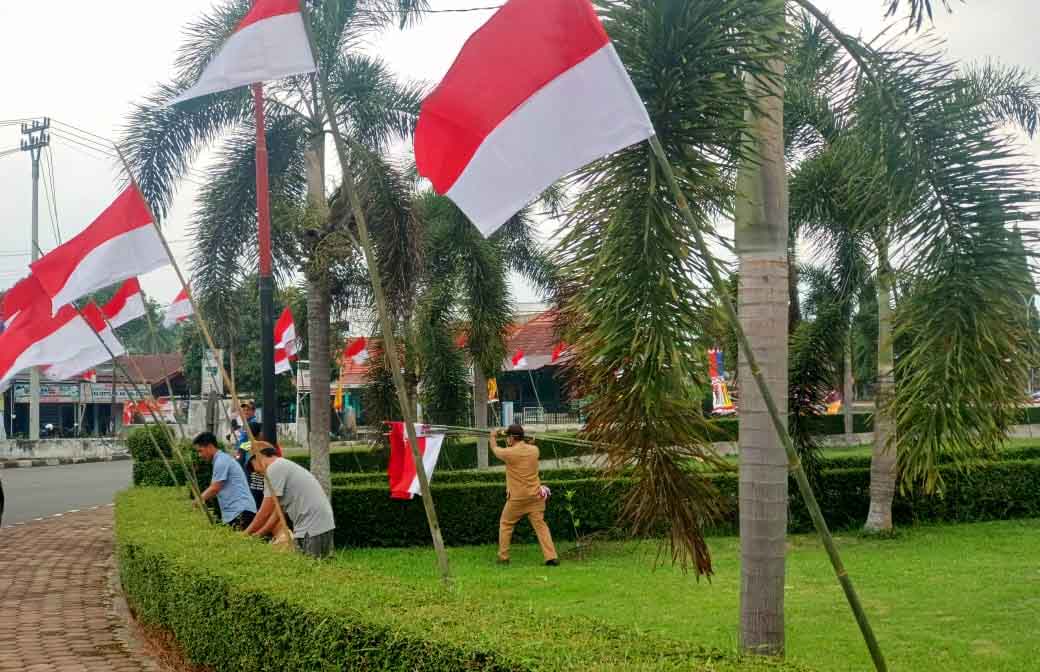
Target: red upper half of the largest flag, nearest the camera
{"x":501,"y":67}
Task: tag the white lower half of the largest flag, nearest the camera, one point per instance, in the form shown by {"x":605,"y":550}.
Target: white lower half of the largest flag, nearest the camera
{"x":589,"y":112}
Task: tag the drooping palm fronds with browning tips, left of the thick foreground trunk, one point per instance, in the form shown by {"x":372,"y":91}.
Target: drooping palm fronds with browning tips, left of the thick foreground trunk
{"x":635,"y":290}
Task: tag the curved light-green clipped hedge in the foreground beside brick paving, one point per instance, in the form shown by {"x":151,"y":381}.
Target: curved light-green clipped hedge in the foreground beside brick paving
{"x":326,"y":616}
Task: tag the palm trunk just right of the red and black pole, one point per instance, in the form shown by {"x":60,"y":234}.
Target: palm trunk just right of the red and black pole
{"x":319,"y":328}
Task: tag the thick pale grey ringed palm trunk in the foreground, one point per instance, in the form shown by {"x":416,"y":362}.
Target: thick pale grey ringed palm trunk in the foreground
{"x":762,"y":244}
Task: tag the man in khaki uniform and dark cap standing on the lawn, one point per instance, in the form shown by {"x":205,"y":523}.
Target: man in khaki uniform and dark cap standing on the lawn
{"x":524,"y":493}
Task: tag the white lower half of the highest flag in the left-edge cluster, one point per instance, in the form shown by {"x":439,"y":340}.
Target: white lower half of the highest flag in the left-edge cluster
{"x":135,"y":253}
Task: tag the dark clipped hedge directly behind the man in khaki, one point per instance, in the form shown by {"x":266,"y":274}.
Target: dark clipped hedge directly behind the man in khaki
{"x":470,"y":513}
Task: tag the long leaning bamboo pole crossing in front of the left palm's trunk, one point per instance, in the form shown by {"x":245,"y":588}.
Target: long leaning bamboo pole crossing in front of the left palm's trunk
{"x":381,"y":305}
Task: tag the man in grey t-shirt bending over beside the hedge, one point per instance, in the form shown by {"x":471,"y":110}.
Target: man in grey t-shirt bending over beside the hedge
{"x":305,"y":504}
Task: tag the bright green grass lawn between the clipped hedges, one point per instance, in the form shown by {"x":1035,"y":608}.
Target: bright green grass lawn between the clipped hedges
{"x":945,"y":599}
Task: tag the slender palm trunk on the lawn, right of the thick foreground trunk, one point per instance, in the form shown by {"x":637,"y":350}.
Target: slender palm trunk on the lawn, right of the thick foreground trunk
{"x":879,"y":519}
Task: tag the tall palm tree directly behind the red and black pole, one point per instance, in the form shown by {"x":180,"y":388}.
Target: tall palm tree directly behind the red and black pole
{"x":164,"y":143}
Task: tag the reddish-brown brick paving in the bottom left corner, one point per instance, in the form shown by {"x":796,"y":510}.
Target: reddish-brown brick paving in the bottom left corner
{"x":57,"y":602}
